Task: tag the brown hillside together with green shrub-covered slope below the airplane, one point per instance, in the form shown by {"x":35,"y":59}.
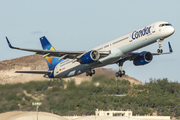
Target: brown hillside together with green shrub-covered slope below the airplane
{"x":80,"y":95}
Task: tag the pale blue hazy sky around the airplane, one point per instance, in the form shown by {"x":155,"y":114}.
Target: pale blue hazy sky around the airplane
{"x":79,"y":25}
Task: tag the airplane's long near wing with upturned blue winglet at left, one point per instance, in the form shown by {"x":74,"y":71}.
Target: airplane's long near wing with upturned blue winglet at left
{"x":60,"y":54}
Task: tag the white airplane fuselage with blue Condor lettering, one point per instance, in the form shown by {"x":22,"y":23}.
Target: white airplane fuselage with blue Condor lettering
{"x":119,"y":48}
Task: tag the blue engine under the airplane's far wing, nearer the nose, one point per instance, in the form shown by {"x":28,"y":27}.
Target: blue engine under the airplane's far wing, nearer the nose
{"x":143,"y":58}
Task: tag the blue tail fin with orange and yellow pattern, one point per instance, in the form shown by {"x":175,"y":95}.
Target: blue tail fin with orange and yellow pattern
{"x":46,"y":45}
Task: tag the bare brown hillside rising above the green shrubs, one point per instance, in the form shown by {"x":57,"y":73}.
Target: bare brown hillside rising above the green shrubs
{"x":36,"y":62}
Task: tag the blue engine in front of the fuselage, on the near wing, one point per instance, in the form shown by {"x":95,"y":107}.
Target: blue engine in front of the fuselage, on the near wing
{"x":89,"y":57}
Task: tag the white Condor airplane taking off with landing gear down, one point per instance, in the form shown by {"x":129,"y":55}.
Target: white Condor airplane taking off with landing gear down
{"x":64,"y":64}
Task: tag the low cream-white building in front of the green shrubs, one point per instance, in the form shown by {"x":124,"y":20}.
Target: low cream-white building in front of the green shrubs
{"x":113,"y":113}
